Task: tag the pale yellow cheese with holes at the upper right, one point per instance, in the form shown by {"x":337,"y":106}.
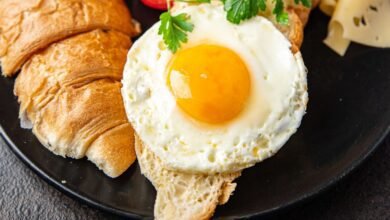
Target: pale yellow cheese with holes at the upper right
{"x":361,"y":21}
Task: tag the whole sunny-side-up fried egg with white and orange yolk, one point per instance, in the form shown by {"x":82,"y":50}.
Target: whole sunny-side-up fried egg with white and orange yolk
{"x":228,"y":98}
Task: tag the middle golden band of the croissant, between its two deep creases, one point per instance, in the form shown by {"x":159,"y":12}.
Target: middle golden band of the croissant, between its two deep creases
{"x":72,"y":62}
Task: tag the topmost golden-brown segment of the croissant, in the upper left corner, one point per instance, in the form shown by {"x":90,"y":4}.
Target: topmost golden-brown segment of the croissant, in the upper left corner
{"x":29,"y":25}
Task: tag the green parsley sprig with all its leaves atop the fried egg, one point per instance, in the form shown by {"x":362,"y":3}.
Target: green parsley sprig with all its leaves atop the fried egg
{"x":174,"y":29}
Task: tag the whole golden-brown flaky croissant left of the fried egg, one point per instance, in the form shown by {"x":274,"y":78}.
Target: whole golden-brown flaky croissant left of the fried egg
{"x":71,"y":61}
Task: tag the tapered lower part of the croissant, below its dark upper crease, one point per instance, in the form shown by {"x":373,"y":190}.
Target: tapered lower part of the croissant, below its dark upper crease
{"x":70,"y":93}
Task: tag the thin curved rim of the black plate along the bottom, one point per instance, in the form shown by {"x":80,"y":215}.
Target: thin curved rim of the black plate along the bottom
{"x":103,"y":207}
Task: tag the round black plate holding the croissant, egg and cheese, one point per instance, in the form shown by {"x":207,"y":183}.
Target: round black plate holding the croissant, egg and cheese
{"x":348,"y":115}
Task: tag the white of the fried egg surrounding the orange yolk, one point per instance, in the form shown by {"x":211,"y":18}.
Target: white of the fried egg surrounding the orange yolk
{"x":274,"y":111}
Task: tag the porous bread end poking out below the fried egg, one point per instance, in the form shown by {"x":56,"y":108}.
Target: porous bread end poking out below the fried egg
{"x":181,"y":195}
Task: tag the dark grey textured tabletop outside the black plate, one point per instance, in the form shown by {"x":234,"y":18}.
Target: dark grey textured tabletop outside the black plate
{"x":364,"y":194}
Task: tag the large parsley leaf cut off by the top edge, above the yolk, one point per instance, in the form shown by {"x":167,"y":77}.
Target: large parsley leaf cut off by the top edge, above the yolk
{"x":239,"y":10}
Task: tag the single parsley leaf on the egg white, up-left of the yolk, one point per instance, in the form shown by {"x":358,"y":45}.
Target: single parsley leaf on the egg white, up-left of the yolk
{"x":174,"y":29}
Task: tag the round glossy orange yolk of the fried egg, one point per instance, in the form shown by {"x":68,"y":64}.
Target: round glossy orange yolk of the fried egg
{"x":210,"y":83}
